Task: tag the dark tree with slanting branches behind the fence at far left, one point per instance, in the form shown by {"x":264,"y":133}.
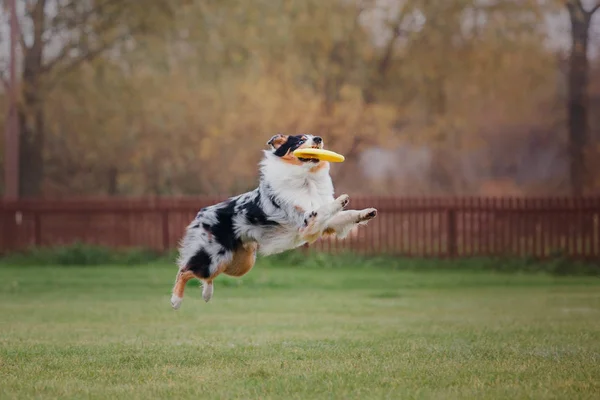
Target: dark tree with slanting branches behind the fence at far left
{"x":56,"y":38}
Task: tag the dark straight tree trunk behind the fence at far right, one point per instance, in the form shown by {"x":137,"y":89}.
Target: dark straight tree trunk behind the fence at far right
{"x":577,"y":101}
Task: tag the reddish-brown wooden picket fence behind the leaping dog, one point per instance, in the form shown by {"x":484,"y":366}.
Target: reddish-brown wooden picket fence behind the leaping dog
{"x":429,"y":227}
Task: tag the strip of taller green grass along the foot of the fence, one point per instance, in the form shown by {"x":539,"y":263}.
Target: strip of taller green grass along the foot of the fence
{"x":81,"y":254}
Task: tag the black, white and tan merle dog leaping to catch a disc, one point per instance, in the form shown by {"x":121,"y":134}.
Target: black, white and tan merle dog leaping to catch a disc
{"x":293,"y":205}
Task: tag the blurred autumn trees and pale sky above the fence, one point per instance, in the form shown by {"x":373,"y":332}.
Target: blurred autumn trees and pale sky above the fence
{"x":178,"y":97}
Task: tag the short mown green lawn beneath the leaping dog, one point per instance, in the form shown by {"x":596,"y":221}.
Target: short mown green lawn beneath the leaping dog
{"x":298,"y":333}
